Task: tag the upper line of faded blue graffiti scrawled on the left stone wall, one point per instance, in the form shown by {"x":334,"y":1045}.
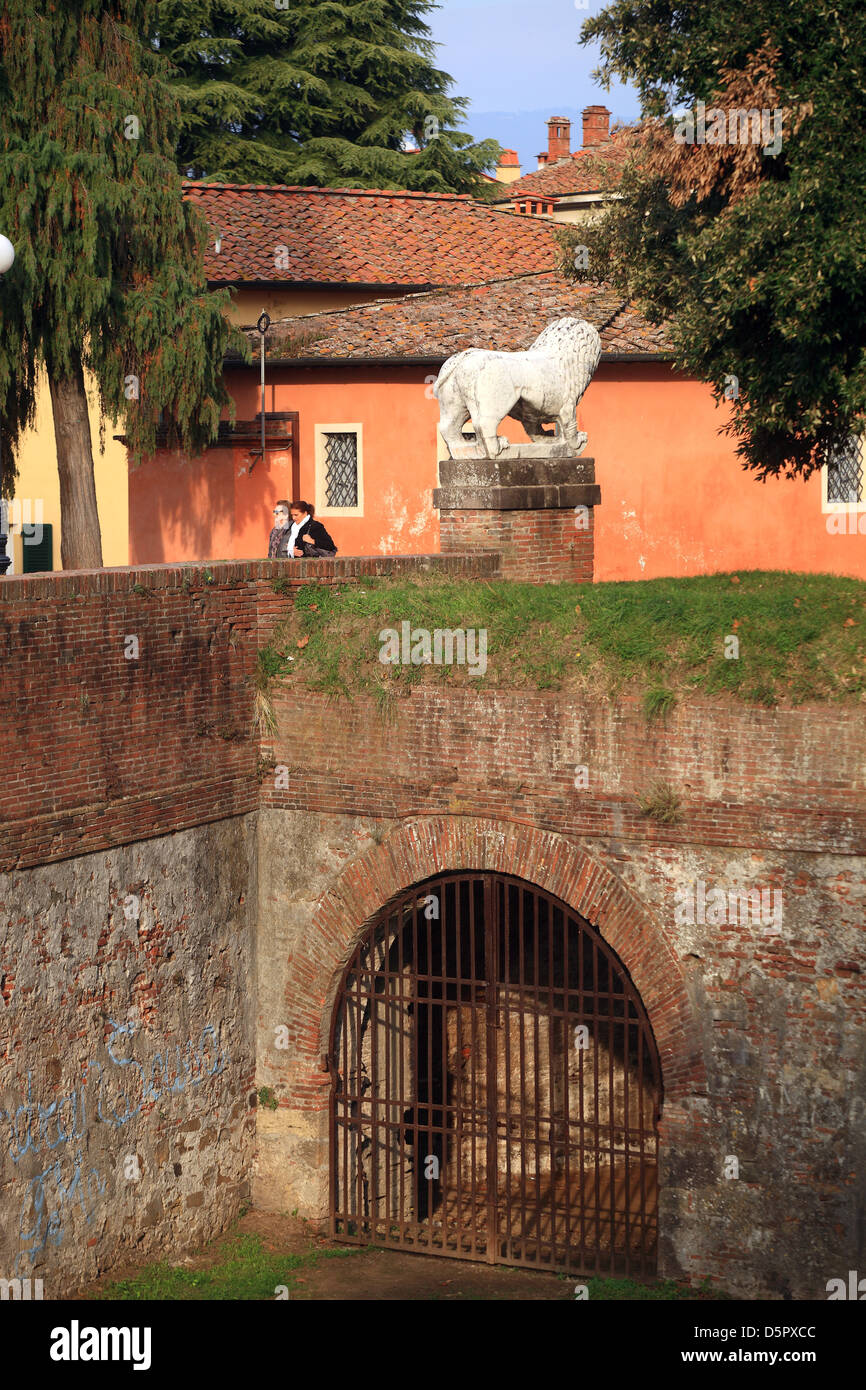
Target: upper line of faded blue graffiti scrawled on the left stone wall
{"x":66,"y":1118}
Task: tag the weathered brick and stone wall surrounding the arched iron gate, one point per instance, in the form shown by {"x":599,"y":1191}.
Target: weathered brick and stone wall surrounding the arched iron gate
{"x":760,"y":1017}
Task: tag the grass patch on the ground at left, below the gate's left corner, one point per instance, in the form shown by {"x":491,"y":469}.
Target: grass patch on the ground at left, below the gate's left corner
{"x":243,"y":1271}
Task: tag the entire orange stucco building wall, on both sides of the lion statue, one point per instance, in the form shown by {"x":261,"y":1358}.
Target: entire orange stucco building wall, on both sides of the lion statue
{"x":675,"y":500}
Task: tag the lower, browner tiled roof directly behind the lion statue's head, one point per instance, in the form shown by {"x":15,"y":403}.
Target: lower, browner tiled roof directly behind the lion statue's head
{"x":505,"y":315}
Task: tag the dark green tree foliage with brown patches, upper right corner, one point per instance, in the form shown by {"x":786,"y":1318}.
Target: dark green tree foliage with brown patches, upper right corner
{"x":769,"y":287}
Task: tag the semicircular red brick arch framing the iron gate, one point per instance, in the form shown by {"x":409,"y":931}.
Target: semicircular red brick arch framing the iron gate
{"x":425,"y":847}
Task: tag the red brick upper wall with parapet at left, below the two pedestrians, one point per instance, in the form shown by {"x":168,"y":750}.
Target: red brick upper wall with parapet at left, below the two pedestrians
{"x":126,"y":696}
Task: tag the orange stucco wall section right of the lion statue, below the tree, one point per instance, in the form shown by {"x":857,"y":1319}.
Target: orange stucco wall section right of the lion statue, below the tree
{"x":676,"y":500}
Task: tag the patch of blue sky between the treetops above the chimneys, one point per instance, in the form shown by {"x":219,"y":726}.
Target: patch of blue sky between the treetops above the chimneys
{"x":519,"y":62}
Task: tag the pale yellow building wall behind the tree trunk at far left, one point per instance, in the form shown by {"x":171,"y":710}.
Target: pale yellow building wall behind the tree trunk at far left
{"x":38,"y":482}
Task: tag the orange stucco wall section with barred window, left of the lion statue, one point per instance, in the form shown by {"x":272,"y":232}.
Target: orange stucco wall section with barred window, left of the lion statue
{"x":213,"y":508}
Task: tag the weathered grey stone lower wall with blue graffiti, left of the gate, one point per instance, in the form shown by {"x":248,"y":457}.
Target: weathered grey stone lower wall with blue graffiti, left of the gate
{"x":127,"y":1053}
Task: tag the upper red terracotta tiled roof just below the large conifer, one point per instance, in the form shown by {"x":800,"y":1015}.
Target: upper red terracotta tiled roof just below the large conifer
{"x":365,"y":237}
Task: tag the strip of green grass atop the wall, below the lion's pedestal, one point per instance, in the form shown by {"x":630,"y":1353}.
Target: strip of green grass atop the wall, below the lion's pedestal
{"x":800,"y":637}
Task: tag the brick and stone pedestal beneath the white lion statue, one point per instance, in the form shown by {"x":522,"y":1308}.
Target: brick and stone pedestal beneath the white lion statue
{"x":537,"y":514}
